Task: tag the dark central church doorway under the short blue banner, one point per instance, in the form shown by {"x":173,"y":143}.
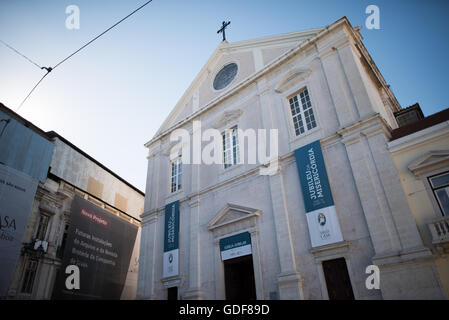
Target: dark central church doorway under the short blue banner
{"x":239,"y":278}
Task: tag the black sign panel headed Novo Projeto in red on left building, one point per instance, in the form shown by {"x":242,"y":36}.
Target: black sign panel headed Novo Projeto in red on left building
{"x":101,"y":245}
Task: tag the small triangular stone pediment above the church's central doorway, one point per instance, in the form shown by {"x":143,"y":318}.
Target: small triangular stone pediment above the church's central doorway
{"x":230,"y":214}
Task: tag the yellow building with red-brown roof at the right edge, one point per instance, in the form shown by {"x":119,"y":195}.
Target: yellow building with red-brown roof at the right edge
{"x":420,"y":152}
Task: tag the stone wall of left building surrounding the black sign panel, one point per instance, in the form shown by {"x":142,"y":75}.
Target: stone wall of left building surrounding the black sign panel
{"x":71,"y":173}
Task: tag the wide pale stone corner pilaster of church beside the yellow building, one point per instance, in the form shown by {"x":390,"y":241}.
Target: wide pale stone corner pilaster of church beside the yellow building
{"x":407,"y":268}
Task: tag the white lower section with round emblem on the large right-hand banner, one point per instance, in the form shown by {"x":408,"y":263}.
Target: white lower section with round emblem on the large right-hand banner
{"x":324,"y":227}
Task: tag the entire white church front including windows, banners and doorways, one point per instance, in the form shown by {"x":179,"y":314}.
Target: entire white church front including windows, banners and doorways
{"x":323,"y":216}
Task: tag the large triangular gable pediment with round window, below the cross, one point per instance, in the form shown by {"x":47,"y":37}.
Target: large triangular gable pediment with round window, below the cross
{"x":251,"y":56}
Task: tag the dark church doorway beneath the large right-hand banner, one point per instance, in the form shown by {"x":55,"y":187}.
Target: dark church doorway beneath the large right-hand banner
{"x":337,"y":279}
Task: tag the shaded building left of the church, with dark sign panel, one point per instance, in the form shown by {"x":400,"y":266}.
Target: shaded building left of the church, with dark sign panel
{"x":81,"y":214}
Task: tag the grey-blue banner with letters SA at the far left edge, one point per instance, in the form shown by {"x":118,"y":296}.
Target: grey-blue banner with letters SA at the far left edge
{"x":17,"y":192}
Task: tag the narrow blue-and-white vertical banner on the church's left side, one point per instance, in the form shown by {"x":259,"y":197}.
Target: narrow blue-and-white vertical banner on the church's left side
{"x":171,"y":240}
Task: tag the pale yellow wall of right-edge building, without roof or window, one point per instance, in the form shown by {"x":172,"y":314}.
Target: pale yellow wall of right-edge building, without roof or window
{"x":406,"y":151}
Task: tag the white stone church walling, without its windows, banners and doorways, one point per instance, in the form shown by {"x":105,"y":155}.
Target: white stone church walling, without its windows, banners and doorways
{"x":353,"y":107}
